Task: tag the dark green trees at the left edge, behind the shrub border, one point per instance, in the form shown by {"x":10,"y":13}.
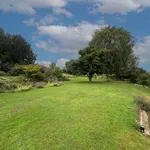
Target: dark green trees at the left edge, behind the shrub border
{"x":14,"y":49}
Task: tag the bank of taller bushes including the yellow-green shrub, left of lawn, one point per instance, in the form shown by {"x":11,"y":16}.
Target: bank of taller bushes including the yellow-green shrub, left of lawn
{"x":39,"y":73}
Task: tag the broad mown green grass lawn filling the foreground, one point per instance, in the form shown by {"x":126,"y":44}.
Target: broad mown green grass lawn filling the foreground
{"x":77,"y":116}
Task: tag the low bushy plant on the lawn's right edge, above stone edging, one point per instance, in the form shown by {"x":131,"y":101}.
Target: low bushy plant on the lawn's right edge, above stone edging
{"x":143,"y":102}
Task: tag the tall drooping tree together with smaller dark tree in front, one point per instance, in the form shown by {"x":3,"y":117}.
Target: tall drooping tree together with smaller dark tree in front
{"x":110,"y":52}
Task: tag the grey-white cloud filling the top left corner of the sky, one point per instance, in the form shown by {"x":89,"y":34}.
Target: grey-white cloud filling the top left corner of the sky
{"x":29,"y":6}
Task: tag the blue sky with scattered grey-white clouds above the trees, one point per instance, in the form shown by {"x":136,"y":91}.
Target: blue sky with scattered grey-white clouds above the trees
{"x":57,"y":29}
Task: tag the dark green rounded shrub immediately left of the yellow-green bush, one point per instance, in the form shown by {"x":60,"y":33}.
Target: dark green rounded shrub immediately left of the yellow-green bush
{"x":17,"y":70}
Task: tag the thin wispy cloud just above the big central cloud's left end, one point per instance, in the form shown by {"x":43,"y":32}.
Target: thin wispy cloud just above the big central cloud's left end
{"x":47,"y":20}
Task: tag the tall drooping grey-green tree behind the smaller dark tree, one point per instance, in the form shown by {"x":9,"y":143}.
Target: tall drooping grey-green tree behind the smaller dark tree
{"x":120,"y":43}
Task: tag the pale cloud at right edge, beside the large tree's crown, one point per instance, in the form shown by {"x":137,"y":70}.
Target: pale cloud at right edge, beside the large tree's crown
{"x":142,"y":49}
